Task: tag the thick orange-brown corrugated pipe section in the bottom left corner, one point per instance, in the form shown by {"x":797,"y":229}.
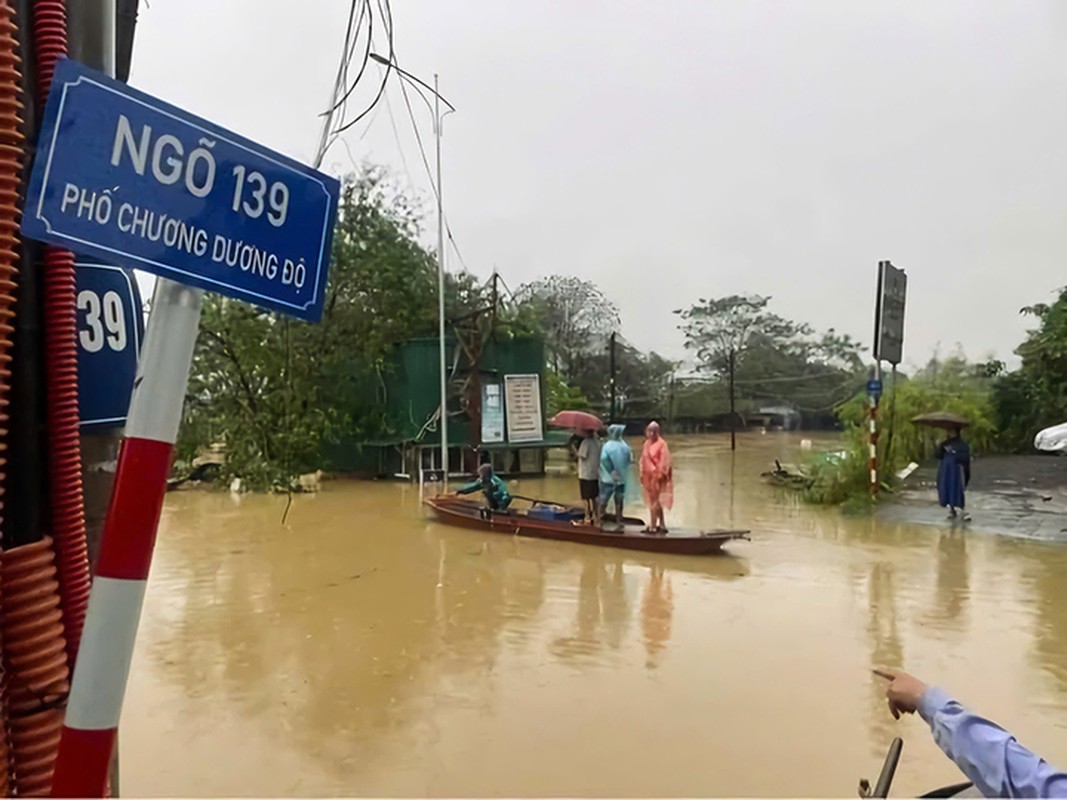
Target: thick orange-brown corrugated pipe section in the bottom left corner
{"x":36,"y":663}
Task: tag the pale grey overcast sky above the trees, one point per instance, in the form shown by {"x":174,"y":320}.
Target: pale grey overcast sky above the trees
{"x":675,"y":150}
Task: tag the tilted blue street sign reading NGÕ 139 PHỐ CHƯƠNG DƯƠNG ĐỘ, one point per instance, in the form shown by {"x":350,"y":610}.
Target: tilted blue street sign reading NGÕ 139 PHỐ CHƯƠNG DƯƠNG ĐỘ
{"x":136,"y":182}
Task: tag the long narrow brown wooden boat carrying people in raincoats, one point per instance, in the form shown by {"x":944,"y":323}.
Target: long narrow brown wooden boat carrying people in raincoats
{"x":551,"y":521}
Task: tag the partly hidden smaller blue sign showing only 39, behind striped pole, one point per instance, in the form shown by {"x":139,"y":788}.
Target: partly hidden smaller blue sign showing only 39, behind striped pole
{"x":110,"y":332}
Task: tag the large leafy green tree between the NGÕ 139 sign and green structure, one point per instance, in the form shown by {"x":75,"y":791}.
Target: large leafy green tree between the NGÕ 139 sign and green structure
{"x":273,"y":390}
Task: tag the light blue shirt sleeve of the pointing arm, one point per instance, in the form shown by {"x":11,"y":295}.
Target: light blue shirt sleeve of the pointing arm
{"x":990,"y":757}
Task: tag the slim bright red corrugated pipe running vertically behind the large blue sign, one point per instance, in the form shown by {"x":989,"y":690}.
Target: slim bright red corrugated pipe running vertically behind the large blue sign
{"x":61,"y":373}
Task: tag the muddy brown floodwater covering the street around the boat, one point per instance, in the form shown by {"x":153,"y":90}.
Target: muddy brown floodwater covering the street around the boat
{"x":363,"y":650}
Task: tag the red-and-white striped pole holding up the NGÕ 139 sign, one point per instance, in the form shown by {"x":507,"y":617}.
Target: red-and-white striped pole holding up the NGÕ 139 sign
{"x":126,"y":548}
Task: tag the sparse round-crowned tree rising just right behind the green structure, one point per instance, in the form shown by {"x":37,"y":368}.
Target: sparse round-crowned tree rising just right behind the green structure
{"x":577,"y":318}
